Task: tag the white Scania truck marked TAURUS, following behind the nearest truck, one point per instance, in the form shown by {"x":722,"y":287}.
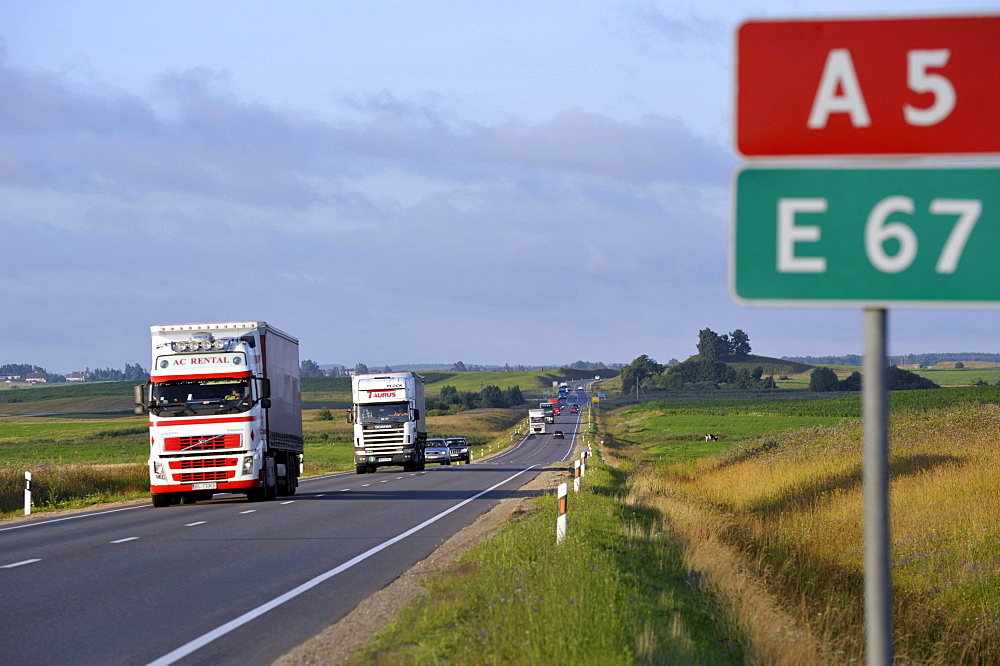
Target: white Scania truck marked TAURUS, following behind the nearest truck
{"x":390,"y":426}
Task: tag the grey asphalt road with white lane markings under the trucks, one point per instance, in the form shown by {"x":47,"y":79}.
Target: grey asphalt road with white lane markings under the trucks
{"x":233,"y":582}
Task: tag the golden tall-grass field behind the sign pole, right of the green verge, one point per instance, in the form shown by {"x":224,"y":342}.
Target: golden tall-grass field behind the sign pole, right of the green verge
{"x":799,"y":522}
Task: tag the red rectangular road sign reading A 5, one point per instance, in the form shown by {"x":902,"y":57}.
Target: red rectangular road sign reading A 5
{"x":898,"y":86}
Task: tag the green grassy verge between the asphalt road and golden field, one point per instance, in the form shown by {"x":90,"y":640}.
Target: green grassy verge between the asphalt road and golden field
{"x":616,"y":591}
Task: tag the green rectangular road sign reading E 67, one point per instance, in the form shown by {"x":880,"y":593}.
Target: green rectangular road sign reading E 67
{"x":875,"y":237}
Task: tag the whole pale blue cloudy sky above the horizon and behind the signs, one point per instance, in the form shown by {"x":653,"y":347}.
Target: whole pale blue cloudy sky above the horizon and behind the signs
{"x":391,"y":182}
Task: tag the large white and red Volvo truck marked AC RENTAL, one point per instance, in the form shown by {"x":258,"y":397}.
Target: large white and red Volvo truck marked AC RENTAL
{"x":224,"y":412}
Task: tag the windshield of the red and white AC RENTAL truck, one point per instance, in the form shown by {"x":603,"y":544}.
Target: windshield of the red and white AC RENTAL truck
{"x":202,"y":396}
